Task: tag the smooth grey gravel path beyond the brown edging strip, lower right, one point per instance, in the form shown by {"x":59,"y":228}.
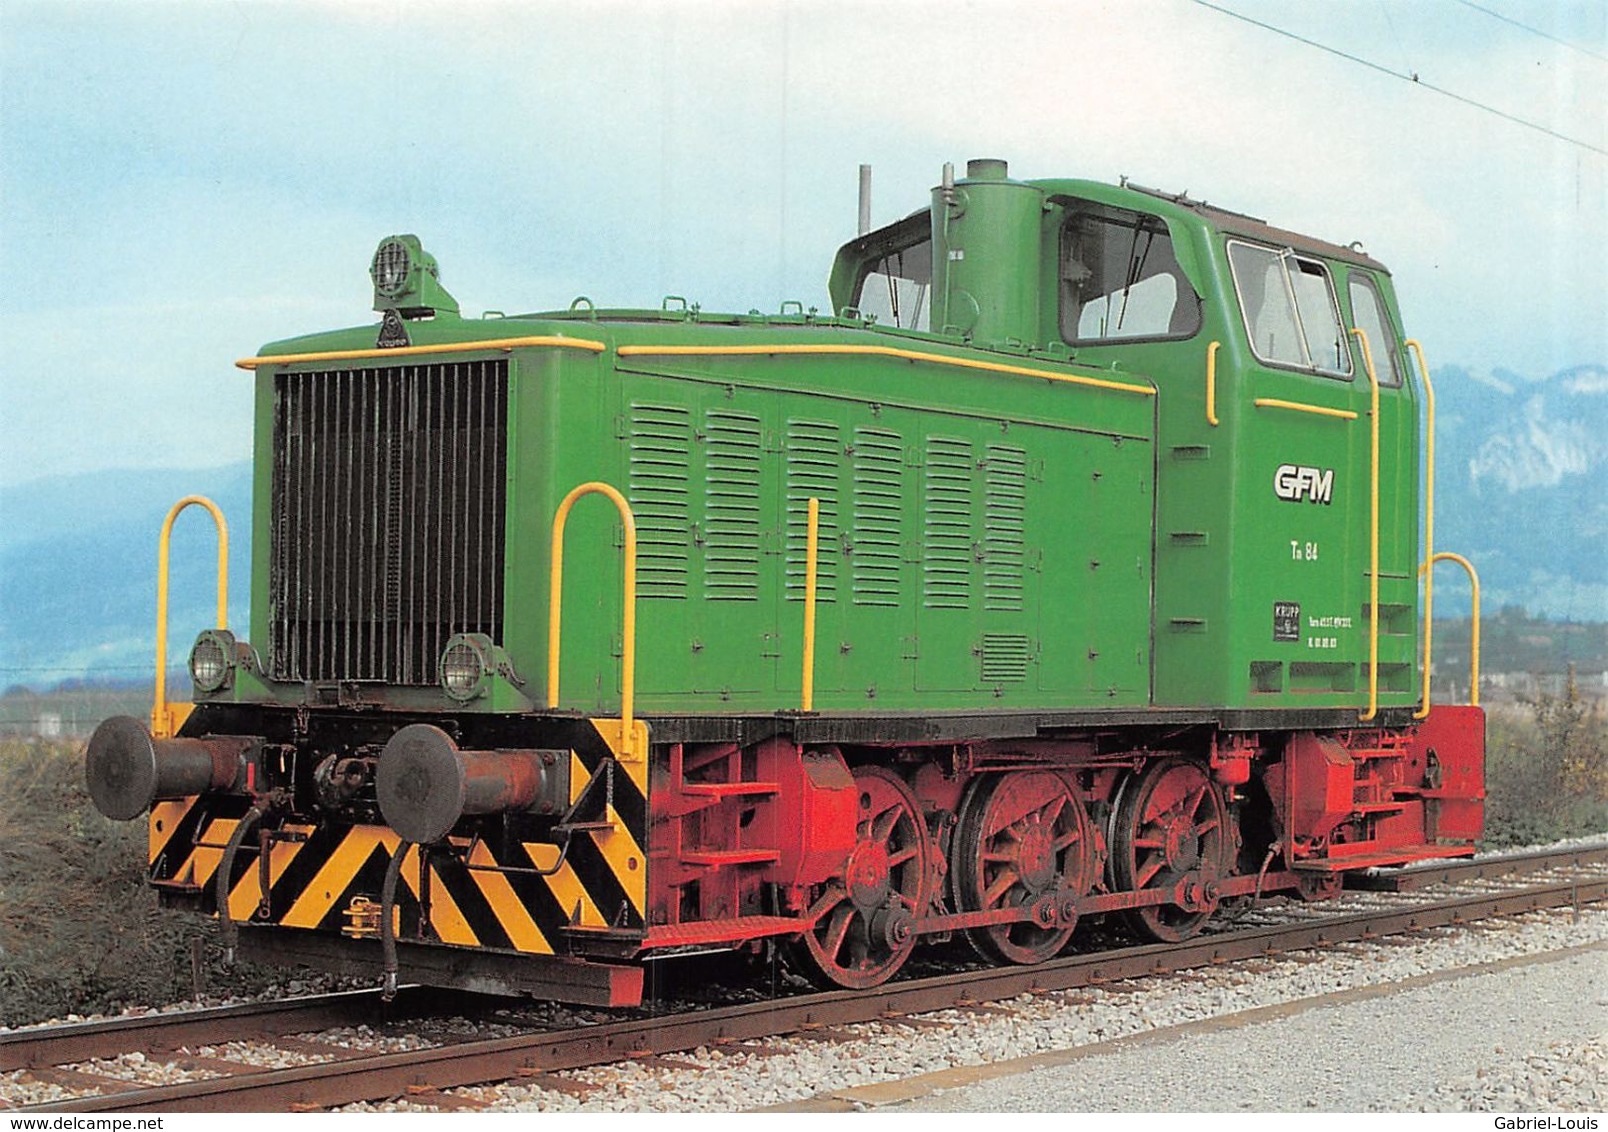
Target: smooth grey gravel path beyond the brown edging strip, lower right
{"x":1522,"y":1040}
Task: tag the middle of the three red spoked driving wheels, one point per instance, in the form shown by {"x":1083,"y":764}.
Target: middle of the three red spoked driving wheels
{"x":1023,"y":842}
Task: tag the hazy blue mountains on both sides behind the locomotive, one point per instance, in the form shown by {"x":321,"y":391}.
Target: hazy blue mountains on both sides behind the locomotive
{"x":1522,"y":488}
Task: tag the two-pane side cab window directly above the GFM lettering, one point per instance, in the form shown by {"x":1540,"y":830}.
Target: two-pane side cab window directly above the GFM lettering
{"x":1290,"y":310}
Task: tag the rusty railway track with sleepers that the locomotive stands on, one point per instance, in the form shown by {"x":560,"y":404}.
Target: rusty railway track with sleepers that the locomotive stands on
{"x":324,"y":1075}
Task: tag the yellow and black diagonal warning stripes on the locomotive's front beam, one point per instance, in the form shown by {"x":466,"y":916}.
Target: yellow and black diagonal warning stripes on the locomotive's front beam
{"x":318,"y":872}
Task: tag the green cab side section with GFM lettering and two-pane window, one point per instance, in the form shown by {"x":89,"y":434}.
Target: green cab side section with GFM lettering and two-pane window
{"x":1303,"y":496}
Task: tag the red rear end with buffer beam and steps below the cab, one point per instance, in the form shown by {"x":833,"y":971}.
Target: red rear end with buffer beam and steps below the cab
{"x":1382,"y":798}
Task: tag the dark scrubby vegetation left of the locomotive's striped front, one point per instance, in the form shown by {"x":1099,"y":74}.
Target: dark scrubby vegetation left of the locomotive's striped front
{"x":80,"y":930}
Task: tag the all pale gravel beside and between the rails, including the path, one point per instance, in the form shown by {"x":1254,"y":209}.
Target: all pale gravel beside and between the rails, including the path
{"x":1496,"y":1015}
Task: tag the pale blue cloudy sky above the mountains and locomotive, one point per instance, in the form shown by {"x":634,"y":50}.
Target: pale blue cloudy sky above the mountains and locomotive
{"x":183,"y":183}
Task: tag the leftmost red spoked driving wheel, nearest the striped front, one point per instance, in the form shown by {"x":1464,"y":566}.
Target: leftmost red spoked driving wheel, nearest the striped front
{"x":866,"y":921}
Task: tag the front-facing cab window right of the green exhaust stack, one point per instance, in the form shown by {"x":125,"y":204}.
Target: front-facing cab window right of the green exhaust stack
{"x":1122,"y":281}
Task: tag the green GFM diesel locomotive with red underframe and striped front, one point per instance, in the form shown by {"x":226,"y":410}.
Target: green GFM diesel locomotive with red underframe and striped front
{"x":1069,"y":568}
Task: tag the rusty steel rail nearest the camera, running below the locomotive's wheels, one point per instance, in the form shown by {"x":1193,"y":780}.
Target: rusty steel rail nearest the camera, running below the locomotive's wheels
{"x":506,"y":1059}
